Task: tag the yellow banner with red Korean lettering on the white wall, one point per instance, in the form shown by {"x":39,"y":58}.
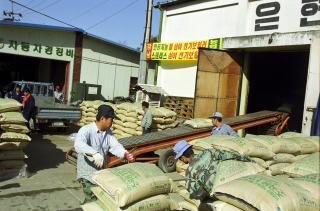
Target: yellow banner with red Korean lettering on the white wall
{"x":180,"y":50}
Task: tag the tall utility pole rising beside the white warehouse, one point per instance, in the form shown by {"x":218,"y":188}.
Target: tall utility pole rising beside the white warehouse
{"x":143,"y":71}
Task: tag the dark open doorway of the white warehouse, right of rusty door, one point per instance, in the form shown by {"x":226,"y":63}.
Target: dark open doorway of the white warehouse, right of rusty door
{"x":278,"y":82}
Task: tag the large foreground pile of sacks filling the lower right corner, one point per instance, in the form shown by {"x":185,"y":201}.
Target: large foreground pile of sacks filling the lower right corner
{"x":284,"y":173}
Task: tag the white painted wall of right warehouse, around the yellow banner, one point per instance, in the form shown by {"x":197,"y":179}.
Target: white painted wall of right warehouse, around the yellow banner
{"x":214,"y":20}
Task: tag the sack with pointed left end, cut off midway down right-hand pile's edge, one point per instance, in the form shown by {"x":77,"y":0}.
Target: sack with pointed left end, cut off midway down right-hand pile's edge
{"x":305,"y":166}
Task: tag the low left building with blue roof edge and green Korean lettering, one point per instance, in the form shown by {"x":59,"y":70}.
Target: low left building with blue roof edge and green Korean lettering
{"x":65,"y":56}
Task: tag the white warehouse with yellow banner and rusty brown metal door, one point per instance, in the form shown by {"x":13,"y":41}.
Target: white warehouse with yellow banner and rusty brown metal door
{"x":254,"y":55}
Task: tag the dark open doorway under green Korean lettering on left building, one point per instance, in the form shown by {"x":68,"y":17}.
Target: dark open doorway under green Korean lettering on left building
{"x":24,"y":68}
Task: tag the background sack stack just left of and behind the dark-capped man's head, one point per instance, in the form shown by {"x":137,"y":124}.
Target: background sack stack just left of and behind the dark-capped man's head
{"x":89,"y":110}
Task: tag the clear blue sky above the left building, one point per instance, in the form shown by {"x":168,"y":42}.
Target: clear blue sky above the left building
{"x":121,"y":21}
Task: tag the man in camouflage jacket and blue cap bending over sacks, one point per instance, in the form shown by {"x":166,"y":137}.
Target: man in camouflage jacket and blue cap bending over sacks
{"x":201,"y":172}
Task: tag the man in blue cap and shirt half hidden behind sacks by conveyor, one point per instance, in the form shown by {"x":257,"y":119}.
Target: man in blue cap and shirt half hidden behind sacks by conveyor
{"x":220,"y":128}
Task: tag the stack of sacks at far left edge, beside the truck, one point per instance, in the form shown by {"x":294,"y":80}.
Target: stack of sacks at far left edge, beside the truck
{"x":13,"y":139}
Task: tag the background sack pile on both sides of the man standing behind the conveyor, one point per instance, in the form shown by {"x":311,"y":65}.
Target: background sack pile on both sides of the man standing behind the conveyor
{"x":131,"y":114}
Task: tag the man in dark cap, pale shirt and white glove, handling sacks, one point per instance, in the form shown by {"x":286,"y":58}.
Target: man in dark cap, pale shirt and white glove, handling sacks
{"x":92,"y":143}
